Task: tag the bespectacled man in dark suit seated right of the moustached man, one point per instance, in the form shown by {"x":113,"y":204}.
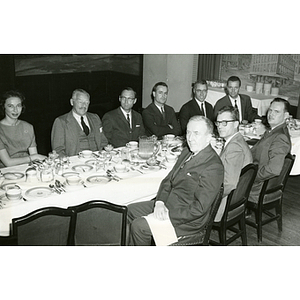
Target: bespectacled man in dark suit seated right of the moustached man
{"x":123,"y":124}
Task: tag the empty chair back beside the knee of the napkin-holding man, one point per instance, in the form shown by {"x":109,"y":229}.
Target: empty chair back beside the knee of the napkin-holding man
{"x":101,"y":223}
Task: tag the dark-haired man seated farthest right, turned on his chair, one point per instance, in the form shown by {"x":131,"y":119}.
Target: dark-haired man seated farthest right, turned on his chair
{"x":269,"y":152}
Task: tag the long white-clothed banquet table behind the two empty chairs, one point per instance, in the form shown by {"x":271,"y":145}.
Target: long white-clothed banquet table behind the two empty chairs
{"x":132,"y":186}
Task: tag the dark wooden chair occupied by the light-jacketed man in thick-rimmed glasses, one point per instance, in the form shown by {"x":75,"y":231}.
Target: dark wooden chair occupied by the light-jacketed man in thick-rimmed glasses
{"x":234,"y":213}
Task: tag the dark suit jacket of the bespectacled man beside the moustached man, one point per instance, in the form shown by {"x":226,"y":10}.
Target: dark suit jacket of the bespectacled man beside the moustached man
{"x":117,"y":129}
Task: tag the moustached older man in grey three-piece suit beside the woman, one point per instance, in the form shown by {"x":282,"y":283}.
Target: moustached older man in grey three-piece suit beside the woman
{"x":78,"y":129}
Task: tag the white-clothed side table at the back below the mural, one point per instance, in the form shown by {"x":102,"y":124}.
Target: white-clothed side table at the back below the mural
{"x":259,"y":101}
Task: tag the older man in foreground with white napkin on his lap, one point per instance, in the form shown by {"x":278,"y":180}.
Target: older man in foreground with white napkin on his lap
{"x":186,"y":194}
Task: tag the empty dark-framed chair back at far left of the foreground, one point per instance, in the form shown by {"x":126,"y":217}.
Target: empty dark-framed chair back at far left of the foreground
{"x":48,"y":226}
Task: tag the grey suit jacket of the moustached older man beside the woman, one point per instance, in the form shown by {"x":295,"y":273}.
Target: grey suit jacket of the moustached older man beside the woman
{"x":65,"y":138}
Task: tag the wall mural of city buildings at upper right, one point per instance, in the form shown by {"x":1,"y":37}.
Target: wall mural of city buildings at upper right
{"x":280,"y":71}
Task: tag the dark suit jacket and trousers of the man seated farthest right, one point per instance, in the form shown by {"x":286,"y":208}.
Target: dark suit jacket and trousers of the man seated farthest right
{"x":269,"y":153}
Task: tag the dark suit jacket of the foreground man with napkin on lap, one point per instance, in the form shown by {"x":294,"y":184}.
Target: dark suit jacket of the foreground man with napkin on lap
{"x":190,"y":188}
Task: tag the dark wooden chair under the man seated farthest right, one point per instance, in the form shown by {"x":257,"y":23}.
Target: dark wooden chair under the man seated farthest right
{"x":270,"y":197}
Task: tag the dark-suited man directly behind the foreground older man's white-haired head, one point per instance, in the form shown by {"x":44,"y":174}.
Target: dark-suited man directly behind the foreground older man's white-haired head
{"x":196,"y":106}
